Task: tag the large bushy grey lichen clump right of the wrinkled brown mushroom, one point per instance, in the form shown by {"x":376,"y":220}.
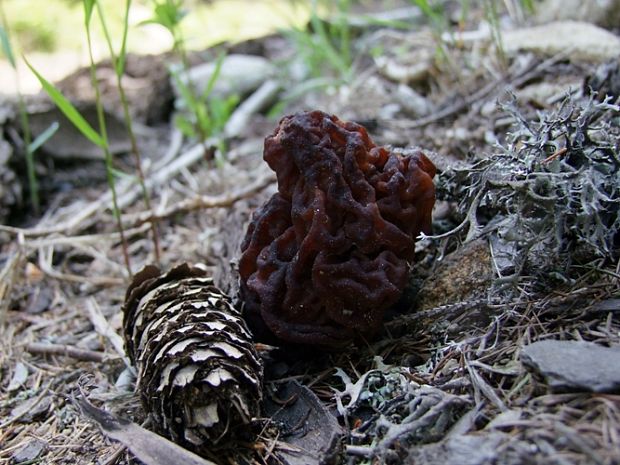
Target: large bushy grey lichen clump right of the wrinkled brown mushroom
{"x":549,"y":198}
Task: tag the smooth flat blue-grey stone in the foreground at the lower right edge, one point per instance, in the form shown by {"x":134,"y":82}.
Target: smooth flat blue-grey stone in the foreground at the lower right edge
{"x":575,"y":365}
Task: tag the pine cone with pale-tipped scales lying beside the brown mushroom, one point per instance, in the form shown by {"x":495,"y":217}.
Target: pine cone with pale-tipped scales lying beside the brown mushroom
{"x":199,"y":375}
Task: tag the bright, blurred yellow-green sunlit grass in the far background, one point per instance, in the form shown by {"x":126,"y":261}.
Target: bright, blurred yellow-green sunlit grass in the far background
{"x":51,"y":32}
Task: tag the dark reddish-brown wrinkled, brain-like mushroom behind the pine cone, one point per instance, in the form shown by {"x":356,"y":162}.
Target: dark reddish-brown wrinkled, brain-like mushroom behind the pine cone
{"x":328,"y":253}
